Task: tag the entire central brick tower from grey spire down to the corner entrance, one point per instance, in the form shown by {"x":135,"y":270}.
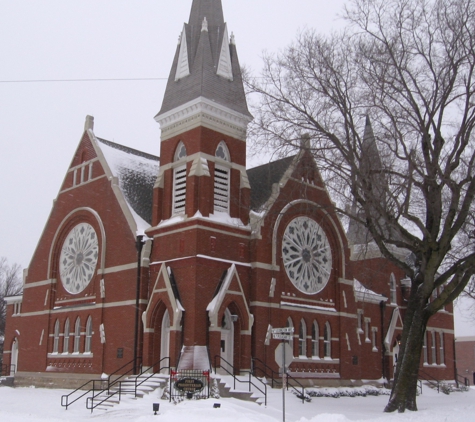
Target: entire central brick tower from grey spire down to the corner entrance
{"x":200,"y":222}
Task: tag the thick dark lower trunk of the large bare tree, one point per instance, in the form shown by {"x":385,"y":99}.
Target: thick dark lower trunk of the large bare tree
{"x":404,"y":392}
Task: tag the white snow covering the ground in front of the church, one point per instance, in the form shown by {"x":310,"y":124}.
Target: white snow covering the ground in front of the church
{"x":41,"y":405}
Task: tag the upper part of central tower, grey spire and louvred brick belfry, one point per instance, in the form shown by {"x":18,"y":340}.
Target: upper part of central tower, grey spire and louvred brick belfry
{"x":203,"y":120}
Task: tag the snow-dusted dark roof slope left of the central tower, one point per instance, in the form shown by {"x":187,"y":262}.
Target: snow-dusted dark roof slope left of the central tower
{"x":136,"y":172}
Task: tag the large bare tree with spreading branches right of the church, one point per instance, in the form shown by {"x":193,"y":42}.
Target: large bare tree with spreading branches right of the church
{"x":408,"y":65}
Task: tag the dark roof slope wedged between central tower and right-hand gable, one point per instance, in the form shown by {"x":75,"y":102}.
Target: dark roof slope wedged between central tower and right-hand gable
{"x":262,"y":178}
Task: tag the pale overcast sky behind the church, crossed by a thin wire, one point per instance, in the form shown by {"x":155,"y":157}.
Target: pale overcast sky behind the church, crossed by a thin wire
{"x":41,"y":122}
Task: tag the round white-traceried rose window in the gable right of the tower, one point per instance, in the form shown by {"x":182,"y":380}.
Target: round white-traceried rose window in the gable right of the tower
{"x":307,"y":255}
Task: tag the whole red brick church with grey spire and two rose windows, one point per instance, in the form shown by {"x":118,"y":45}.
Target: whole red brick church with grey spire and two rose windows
{"x":192,"y":256}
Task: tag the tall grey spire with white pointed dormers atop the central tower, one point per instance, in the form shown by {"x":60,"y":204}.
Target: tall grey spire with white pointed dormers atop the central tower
{"x":206,"y":63}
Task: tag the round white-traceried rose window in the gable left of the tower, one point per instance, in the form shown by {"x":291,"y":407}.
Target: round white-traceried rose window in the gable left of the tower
{"x":78,"y":258}
